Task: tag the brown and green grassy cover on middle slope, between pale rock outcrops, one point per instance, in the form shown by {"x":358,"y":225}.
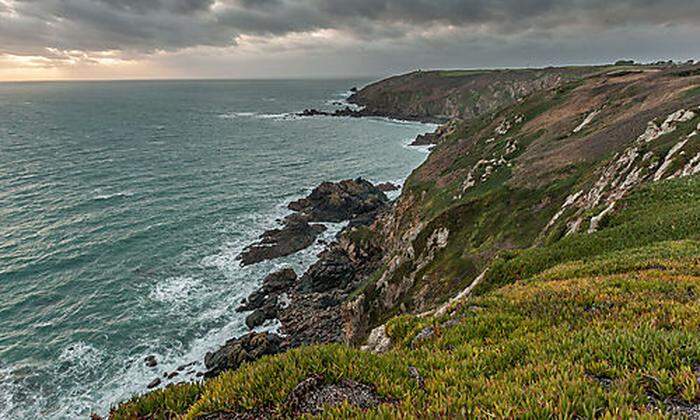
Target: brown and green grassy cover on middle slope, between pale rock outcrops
{"x":511,"y":208}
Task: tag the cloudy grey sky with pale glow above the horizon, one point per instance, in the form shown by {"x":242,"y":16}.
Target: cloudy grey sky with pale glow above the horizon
{"x":157,"y":39}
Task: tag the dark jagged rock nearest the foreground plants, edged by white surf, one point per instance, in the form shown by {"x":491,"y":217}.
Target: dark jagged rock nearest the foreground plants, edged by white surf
{"x":241,"y":350}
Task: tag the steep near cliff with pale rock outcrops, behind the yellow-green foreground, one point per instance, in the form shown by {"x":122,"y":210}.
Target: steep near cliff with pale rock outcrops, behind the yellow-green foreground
{"x":550,"y":166}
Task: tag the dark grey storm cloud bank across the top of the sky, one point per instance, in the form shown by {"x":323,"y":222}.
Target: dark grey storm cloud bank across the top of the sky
{"x":142,"y":26}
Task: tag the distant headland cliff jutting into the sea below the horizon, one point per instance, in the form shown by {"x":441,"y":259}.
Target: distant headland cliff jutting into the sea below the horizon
{"x":443,"y":95}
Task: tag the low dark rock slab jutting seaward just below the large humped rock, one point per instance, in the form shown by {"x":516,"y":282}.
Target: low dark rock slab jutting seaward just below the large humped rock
{"x":295,"y":235}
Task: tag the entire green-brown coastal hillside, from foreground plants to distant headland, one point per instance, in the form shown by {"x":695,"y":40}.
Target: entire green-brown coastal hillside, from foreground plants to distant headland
{"x":544,"y":261}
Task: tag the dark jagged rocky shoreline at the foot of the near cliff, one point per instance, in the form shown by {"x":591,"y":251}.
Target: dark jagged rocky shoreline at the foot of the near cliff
{"x":309,"y":307}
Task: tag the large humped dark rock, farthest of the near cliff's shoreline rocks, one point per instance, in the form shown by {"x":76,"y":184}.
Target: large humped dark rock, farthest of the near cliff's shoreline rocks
{"x":344,"y":200}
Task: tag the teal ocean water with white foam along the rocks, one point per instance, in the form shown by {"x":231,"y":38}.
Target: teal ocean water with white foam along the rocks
{"x":123,"y":206}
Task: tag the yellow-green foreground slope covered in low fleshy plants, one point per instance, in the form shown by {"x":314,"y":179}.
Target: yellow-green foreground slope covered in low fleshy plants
{"x":600,"y":324}
